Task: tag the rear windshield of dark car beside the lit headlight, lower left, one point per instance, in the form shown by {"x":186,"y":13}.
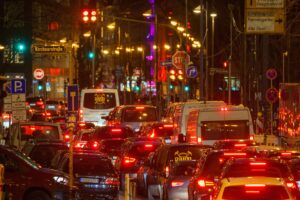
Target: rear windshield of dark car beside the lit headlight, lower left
{"x":90,"y":165}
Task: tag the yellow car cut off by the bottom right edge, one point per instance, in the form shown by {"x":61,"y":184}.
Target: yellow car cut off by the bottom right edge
{"x":253,"y":188}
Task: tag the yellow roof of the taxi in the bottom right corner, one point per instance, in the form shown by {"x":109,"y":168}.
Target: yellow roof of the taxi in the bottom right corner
{"x":251,"y":180}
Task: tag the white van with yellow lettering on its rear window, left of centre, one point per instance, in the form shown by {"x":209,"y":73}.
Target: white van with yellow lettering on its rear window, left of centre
{"x":97,"y":103}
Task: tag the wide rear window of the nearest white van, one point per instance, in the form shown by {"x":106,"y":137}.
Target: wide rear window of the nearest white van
{"x":220,"y":130}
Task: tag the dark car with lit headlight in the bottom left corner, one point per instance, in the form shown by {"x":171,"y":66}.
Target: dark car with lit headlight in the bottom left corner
{"x":27,"y":180}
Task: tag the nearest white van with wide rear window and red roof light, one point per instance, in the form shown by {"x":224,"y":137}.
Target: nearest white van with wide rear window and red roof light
{"x":208,"y":125}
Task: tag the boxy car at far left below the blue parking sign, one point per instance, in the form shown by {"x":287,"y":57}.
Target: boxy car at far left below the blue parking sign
{"x":20,"y":133}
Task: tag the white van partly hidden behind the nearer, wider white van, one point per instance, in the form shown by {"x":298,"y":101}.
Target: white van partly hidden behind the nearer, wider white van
{"x":177,"y":113}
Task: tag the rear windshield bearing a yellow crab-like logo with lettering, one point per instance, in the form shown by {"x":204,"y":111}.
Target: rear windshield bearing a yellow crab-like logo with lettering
{"x":183,"y":153}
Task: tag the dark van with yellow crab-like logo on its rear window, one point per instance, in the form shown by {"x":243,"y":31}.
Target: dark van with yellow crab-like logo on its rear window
{"x":163,"y":158}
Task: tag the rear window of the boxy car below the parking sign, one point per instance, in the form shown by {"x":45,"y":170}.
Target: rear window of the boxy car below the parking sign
{"x":39,"y":132}
